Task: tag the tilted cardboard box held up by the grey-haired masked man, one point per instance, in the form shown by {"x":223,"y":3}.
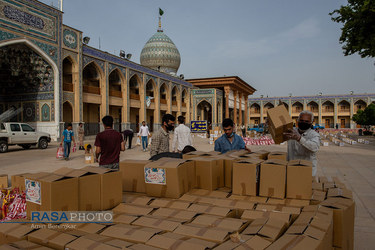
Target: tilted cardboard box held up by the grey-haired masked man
{"x":279,"y":122}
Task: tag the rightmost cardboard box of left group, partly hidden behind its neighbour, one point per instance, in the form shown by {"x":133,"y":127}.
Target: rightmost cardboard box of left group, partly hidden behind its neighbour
{"x":110,"y":186}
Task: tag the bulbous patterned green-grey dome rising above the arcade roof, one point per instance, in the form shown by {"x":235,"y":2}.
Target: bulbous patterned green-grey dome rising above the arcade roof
{"x":160,"y":53}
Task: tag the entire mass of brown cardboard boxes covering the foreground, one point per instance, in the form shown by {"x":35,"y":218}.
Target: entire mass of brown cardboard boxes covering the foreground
{"x":238,"y":200}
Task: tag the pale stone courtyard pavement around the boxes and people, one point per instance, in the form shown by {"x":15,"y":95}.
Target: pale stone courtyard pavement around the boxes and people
{"x":352,"y":164}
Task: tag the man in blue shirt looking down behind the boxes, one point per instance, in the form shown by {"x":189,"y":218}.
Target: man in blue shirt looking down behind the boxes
{"x":229,"y":140}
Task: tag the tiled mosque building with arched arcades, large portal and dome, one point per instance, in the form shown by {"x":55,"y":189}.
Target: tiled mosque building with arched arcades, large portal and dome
{"x":51,"y":76}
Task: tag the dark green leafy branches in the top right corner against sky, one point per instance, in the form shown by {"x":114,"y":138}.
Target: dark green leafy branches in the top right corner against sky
{"x":358,"y":32}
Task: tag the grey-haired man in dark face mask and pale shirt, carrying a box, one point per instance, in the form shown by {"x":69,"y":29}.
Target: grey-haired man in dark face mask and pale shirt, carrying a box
{"x":303,"y":142}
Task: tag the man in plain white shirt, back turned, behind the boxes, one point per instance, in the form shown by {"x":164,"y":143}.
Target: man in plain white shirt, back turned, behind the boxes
{"x":181,"y":136}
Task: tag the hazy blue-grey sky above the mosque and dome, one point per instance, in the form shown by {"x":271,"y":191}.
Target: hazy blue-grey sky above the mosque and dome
{"x":280,"y":48}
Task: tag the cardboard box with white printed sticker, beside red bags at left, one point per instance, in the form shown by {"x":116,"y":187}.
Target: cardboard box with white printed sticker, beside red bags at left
{"x":51,"y":193}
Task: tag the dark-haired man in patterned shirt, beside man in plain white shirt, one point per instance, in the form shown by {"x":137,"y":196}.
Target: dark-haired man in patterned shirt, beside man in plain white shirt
{"x":160,"y":139}
